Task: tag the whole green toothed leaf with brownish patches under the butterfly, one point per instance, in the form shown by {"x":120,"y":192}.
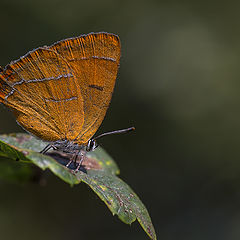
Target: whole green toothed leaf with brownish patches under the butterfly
{"x":99,"y":173}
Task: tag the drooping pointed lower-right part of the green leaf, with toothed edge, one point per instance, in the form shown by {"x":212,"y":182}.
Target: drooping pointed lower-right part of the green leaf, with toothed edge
{"x":119,"y":198}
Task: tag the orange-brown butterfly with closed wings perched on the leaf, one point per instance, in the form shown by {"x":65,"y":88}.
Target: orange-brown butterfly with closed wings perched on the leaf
{"x":60,"y":93}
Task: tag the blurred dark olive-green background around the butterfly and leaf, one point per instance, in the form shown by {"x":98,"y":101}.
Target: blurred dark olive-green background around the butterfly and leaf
{"x":178,"y":84}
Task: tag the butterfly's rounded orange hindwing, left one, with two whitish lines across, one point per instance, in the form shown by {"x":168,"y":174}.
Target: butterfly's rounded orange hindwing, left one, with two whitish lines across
{"x":41,"y":90}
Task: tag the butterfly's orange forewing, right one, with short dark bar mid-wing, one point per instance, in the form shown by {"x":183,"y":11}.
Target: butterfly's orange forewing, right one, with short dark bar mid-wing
{"x":94,"y":59}
